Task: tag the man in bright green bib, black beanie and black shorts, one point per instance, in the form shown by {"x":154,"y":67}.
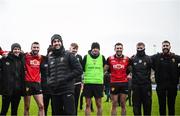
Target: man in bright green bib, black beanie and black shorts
{"x":93,"y":66}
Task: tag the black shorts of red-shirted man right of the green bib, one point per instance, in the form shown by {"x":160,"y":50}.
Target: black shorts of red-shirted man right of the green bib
{"x":117,"y":88}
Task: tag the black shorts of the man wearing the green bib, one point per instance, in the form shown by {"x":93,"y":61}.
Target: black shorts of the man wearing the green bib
{"x":91,"y":90}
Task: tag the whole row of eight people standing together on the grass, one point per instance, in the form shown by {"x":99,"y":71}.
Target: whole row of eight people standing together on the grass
{"x":57,"y":76}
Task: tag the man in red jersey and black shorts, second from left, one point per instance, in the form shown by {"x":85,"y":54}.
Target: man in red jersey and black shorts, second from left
{"x":33,"y":79}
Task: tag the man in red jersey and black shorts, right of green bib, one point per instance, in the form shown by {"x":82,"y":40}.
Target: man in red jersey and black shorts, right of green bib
{"x":118,"y":65}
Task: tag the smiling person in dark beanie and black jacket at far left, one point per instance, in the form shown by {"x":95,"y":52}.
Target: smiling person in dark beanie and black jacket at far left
{"x":12,"y":70}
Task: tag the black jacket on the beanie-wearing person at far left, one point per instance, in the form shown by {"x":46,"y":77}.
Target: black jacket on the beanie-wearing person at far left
{"x":12,"y":71}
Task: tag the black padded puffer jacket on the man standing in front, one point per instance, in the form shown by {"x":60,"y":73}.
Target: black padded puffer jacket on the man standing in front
{"x":63,"y":68}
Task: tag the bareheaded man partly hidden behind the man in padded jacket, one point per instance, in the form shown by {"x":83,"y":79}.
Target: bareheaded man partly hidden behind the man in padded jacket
{"x":78,"y":81}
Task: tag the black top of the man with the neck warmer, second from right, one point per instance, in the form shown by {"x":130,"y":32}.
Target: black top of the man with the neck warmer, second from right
{"x":141,"y":69}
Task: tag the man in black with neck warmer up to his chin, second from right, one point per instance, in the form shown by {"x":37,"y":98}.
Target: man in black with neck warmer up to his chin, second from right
{"x":141,"y":81}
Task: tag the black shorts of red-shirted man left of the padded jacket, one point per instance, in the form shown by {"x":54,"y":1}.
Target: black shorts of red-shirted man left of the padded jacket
{"x":32,"y":88}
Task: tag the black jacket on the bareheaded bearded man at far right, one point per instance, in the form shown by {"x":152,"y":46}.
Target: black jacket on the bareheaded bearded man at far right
{"x":166,"y":68}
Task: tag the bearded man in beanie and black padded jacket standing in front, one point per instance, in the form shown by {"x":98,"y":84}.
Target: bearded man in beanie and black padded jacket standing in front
{"x":63,"y":69}
